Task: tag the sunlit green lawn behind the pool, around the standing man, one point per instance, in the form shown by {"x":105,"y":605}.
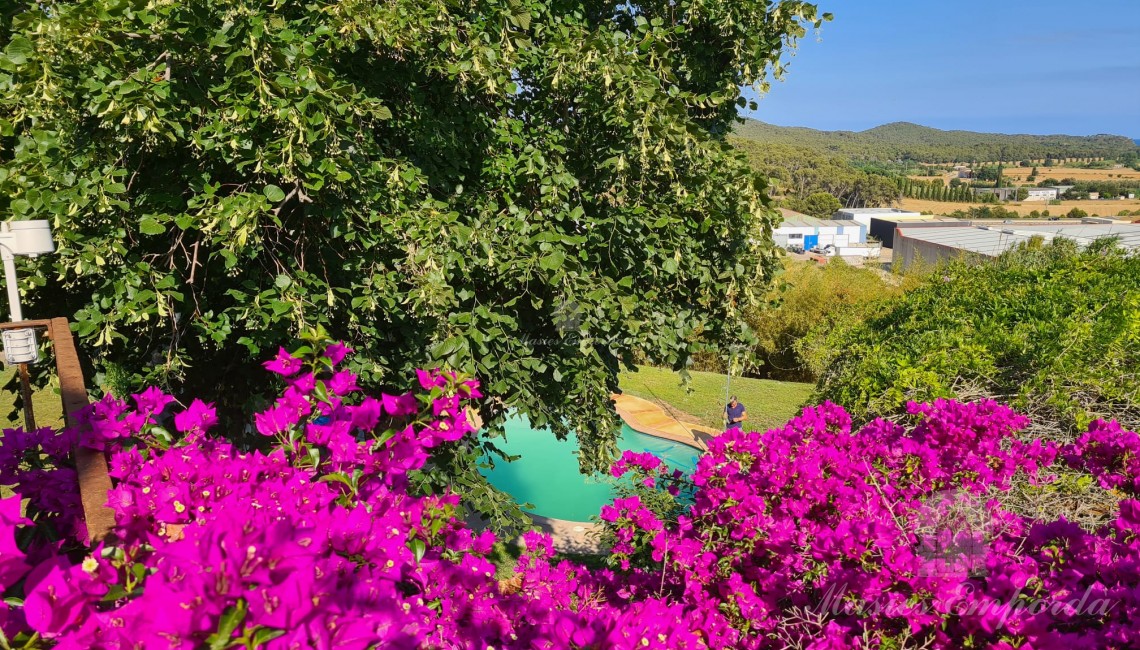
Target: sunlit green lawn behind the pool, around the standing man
{"x":770,"y":403}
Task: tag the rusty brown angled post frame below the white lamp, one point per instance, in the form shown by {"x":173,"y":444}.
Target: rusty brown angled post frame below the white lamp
{"x":91,"y":465}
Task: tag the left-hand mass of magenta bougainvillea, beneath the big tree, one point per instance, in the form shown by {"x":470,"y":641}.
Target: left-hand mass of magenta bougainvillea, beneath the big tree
{"x":320,"y":543}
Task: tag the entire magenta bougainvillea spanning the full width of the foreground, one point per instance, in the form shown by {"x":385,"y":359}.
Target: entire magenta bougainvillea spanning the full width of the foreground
{"x":809,"y":537}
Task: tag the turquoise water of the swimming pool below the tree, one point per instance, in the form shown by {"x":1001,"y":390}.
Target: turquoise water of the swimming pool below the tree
{"x":548,"y":477}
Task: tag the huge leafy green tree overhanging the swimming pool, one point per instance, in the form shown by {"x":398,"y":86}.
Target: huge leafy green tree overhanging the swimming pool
{"x":525,"y":191}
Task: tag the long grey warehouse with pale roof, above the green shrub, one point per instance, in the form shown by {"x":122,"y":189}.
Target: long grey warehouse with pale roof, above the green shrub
{"x":934,"y":246}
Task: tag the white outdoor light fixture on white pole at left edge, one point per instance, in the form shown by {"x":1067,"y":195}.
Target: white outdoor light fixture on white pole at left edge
{"x":28,"y":239}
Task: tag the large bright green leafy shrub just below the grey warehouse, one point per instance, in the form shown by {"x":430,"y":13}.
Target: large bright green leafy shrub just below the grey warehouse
{"x":1052,"y":329}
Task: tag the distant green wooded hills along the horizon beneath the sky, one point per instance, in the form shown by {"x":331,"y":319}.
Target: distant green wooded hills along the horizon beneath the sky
{"x":901,"y":141}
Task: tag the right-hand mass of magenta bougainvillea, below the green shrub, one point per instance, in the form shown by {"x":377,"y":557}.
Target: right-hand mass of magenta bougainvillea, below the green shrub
{"x":821,"y":537}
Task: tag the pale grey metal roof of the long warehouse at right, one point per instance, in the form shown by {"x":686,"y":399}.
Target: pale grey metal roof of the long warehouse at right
{"x":996,"y":240}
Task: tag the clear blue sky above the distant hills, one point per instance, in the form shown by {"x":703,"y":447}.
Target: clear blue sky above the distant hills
{"x":1013,"y":67}
